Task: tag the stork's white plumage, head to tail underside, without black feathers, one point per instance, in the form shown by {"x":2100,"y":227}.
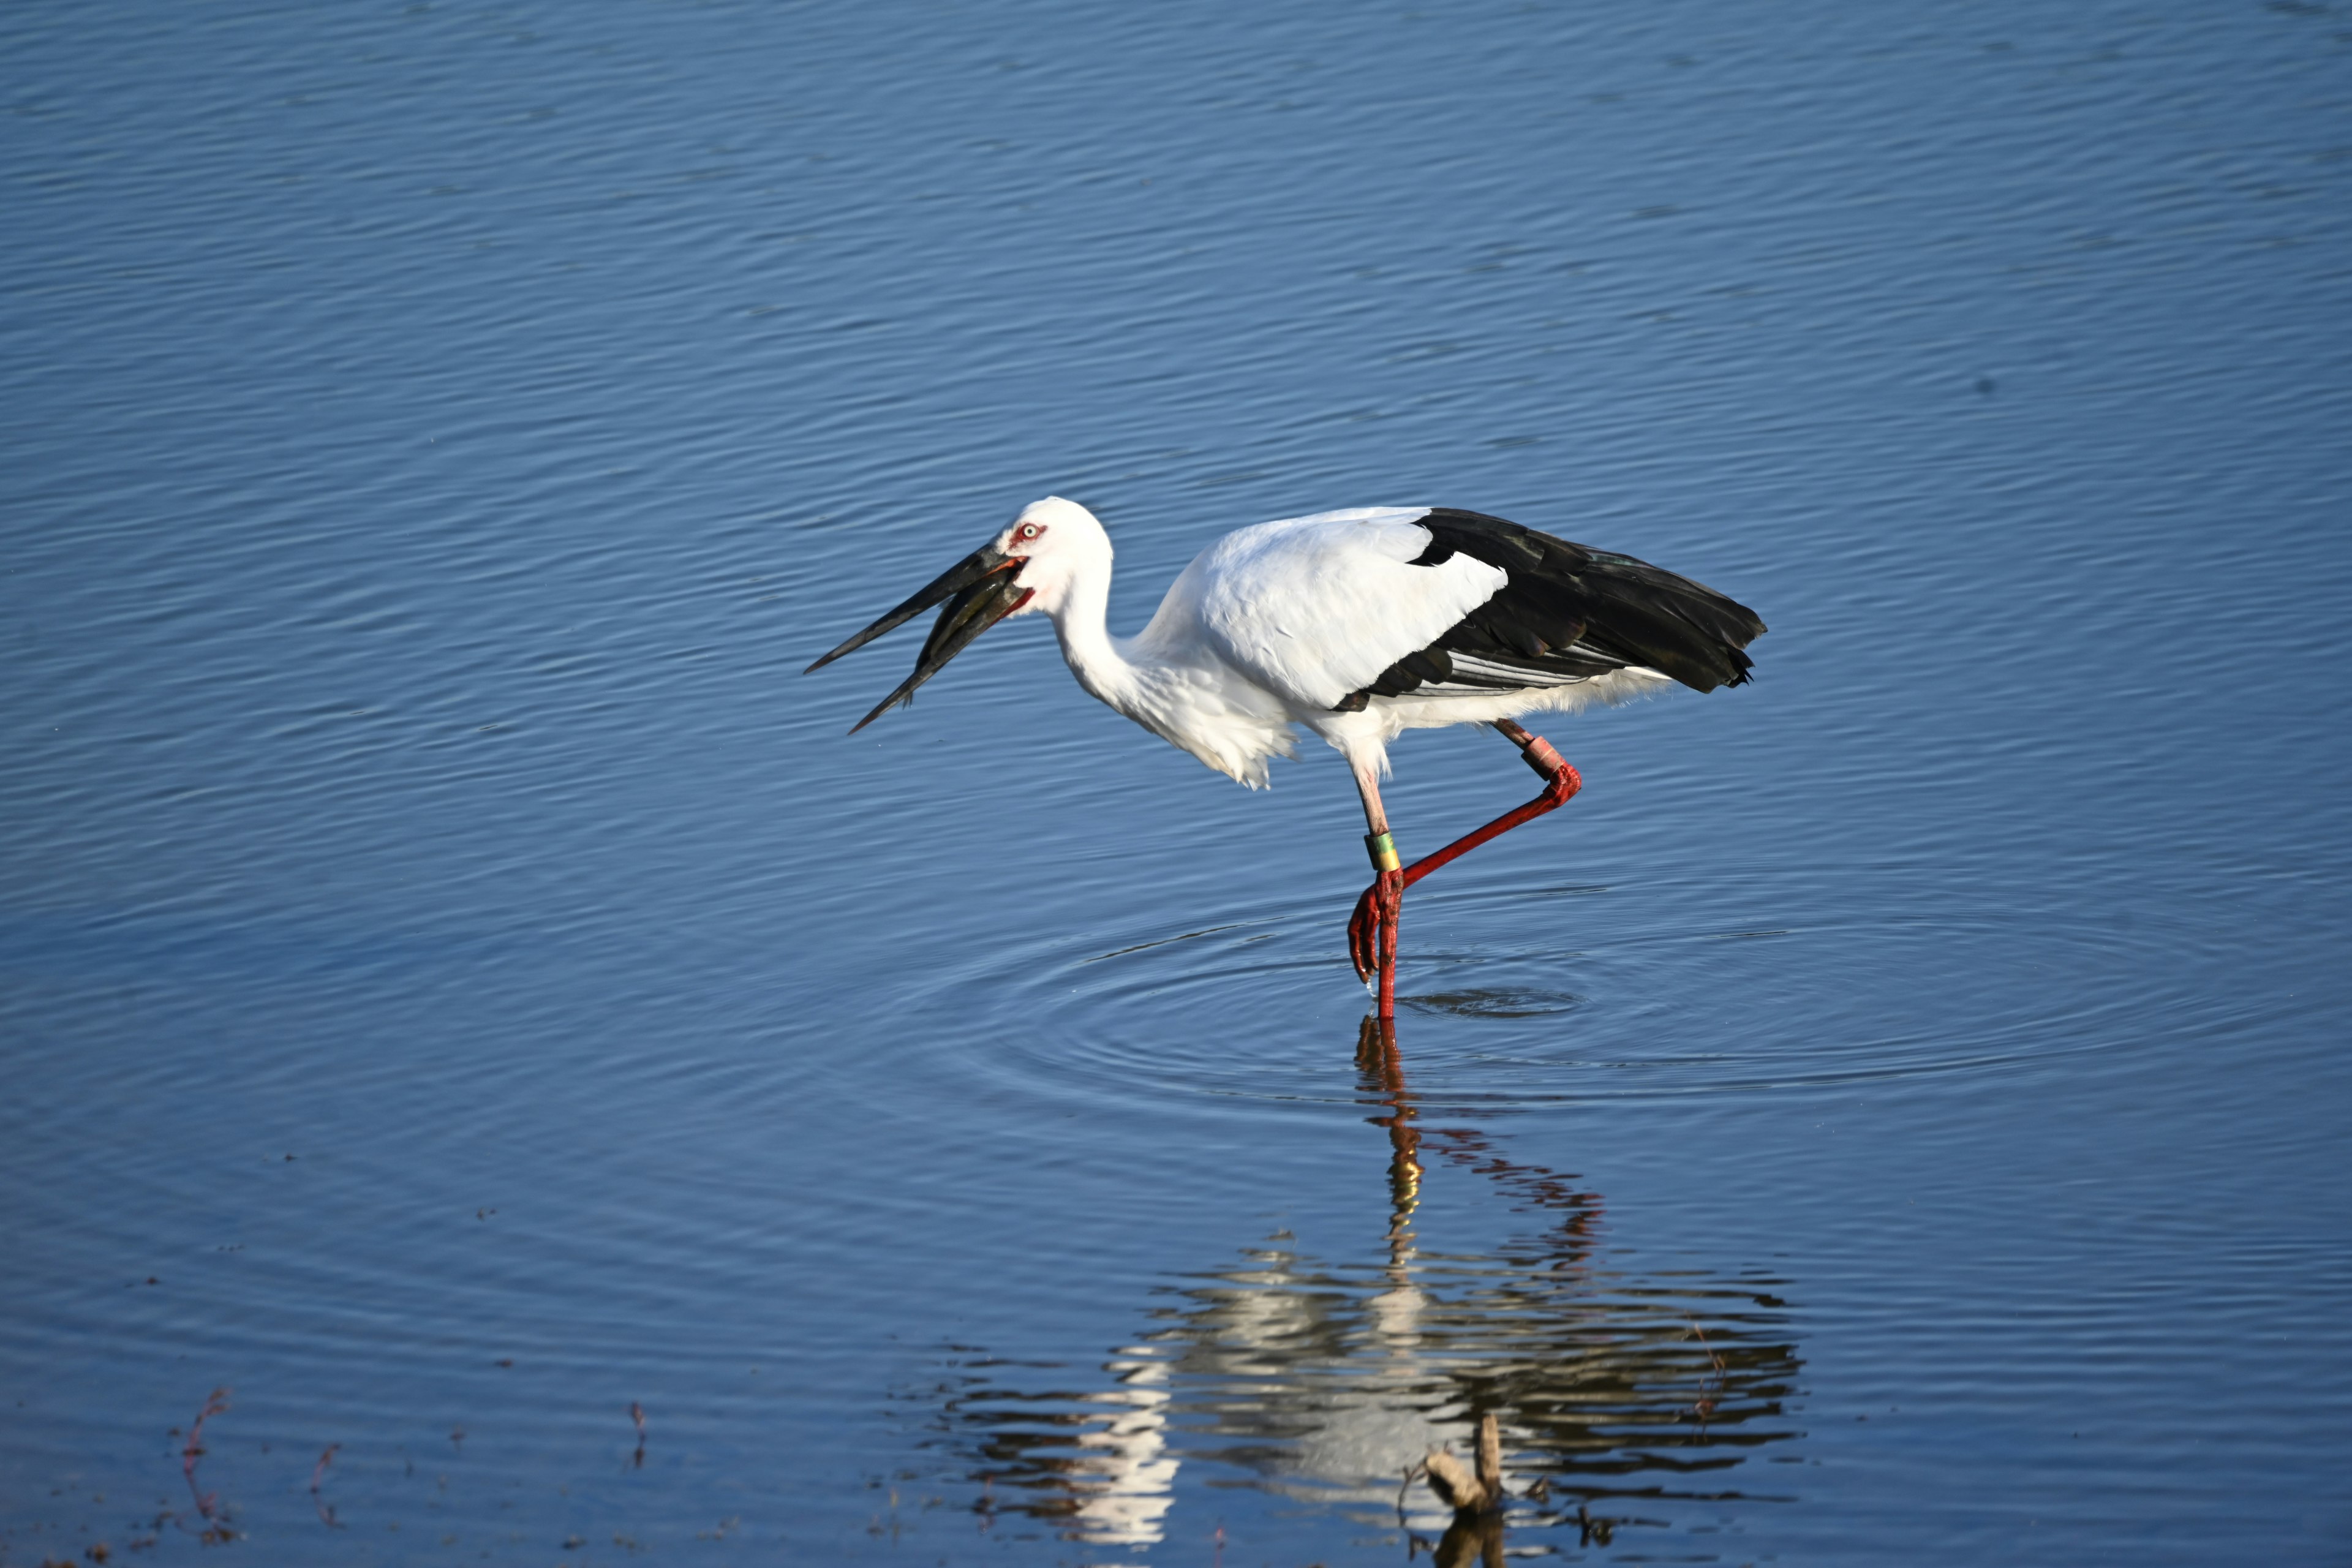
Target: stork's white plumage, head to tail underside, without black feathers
{"x":1274,"y":626}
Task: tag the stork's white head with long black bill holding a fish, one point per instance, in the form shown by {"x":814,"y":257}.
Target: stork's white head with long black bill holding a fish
{"x":1031,"y":565}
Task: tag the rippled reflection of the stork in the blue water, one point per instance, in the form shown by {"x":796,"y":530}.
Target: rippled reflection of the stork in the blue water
{"x":1328,"y":1381}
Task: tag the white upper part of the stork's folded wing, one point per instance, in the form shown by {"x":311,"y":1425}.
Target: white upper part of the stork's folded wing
{"x":1318,"y":608}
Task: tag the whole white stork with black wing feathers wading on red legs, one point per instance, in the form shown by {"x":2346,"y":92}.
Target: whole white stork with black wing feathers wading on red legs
{"x":1356,"y":626}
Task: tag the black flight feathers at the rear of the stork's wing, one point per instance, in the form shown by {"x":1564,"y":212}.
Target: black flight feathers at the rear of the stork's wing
{"x":1570,"y":612}
